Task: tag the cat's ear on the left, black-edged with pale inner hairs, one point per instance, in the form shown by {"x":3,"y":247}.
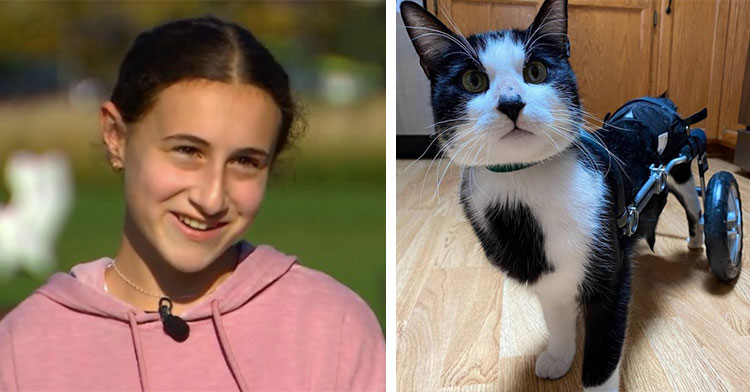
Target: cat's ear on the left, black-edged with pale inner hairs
{"x":430,"y":37}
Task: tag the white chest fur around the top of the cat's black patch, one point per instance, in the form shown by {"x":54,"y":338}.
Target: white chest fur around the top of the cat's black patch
{"x":566,"y":200}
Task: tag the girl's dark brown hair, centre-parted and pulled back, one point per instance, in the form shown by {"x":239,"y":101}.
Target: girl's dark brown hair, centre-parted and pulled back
{"x":200,"y":48}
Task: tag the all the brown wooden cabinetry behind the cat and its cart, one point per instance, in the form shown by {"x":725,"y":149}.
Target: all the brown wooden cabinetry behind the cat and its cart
{"x":622,"y":49}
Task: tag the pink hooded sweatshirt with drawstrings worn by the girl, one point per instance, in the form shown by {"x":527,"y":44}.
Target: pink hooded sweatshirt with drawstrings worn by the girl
{"x":272,"y":325}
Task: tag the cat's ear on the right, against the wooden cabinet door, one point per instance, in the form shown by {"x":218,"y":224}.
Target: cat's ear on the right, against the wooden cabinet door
{"x":551,"y":26}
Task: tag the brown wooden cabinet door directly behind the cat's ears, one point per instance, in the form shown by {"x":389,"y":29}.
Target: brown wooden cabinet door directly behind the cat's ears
{"x":610,"y":41}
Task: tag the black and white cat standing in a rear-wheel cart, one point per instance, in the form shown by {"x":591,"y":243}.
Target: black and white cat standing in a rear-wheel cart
{"x":507,"y":110}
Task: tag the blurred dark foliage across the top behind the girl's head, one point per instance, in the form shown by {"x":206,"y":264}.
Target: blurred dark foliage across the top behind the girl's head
{"x":75,"y":40}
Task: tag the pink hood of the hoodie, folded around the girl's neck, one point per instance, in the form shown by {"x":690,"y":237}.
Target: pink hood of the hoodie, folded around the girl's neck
{"x":82,"y":289}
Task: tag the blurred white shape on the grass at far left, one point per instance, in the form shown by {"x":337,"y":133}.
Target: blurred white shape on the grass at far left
{"x":41,"y":197}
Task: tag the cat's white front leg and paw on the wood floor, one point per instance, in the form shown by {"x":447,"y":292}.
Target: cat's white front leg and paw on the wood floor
{"x":560,"y":317}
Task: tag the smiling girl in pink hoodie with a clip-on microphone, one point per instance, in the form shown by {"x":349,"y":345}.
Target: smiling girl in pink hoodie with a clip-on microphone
{"x":198,"y":115}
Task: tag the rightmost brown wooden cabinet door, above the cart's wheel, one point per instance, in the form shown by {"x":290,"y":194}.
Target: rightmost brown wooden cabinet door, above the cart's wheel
{"x":702,"y":54}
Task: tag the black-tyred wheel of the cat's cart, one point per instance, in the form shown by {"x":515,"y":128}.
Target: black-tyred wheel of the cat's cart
{"x":723,"y":226}
